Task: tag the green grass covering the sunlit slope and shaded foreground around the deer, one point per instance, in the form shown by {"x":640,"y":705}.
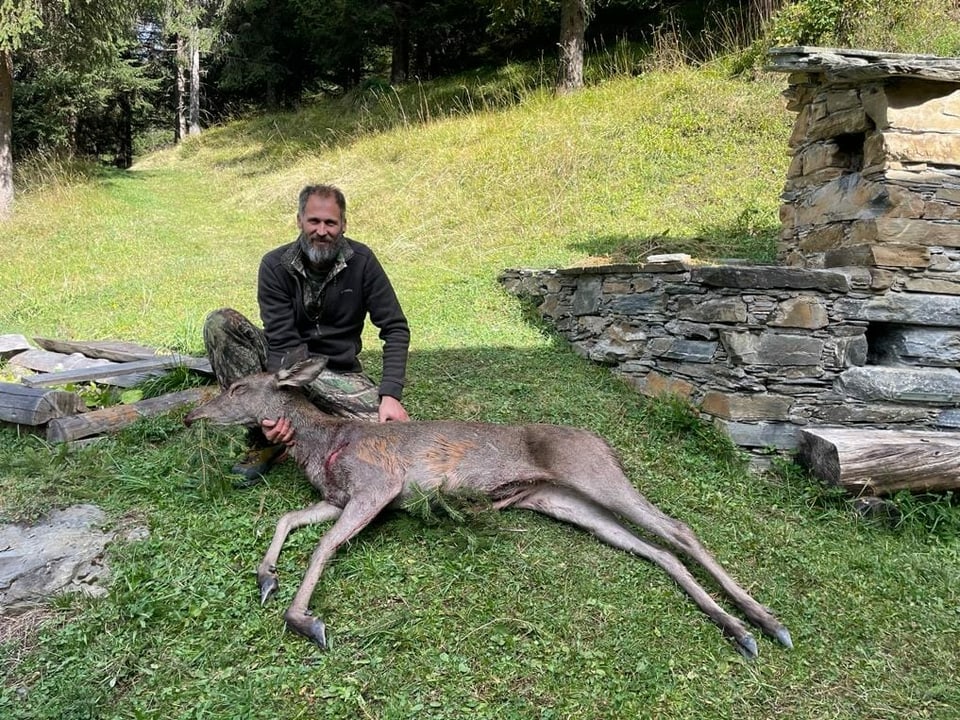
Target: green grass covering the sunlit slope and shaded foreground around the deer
{"x":504,"y":616}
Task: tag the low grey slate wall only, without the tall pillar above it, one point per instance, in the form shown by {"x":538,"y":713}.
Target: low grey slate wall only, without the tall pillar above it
{"x":765,"y":351}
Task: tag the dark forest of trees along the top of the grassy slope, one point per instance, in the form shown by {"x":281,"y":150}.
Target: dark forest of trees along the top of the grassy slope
{"x":113,"y":79}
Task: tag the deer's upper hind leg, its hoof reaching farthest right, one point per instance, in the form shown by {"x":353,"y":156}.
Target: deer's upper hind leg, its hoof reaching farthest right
{"x":620,"y":497}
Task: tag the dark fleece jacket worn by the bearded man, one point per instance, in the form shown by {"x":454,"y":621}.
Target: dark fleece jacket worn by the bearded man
{"x":360,"y":288}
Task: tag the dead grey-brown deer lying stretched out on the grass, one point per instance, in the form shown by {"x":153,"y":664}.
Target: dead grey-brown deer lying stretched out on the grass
{"x":361,"y":468}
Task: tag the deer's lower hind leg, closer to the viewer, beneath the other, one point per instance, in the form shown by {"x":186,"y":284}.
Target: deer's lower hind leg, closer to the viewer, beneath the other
{"x":571,"y":507}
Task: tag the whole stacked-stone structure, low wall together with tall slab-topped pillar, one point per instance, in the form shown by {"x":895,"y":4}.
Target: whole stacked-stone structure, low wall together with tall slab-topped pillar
{"x":859,"y":326}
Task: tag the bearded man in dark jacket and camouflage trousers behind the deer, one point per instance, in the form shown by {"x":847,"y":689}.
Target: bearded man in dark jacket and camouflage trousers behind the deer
{"x":315,"y":294}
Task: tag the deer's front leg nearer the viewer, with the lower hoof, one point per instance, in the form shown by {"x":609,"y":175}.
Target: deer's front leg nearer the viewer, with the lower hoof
{"x":356,"y":515}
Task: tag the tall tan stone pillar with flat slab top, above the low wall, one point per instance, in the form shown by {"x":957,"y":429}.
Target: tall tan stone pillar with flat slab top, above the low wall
{"x":875,"y":175}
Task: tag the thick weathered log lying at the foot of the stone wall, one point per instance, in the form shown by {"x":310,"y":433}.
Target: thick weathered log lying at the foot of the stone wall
{"x":881,"y":462}
